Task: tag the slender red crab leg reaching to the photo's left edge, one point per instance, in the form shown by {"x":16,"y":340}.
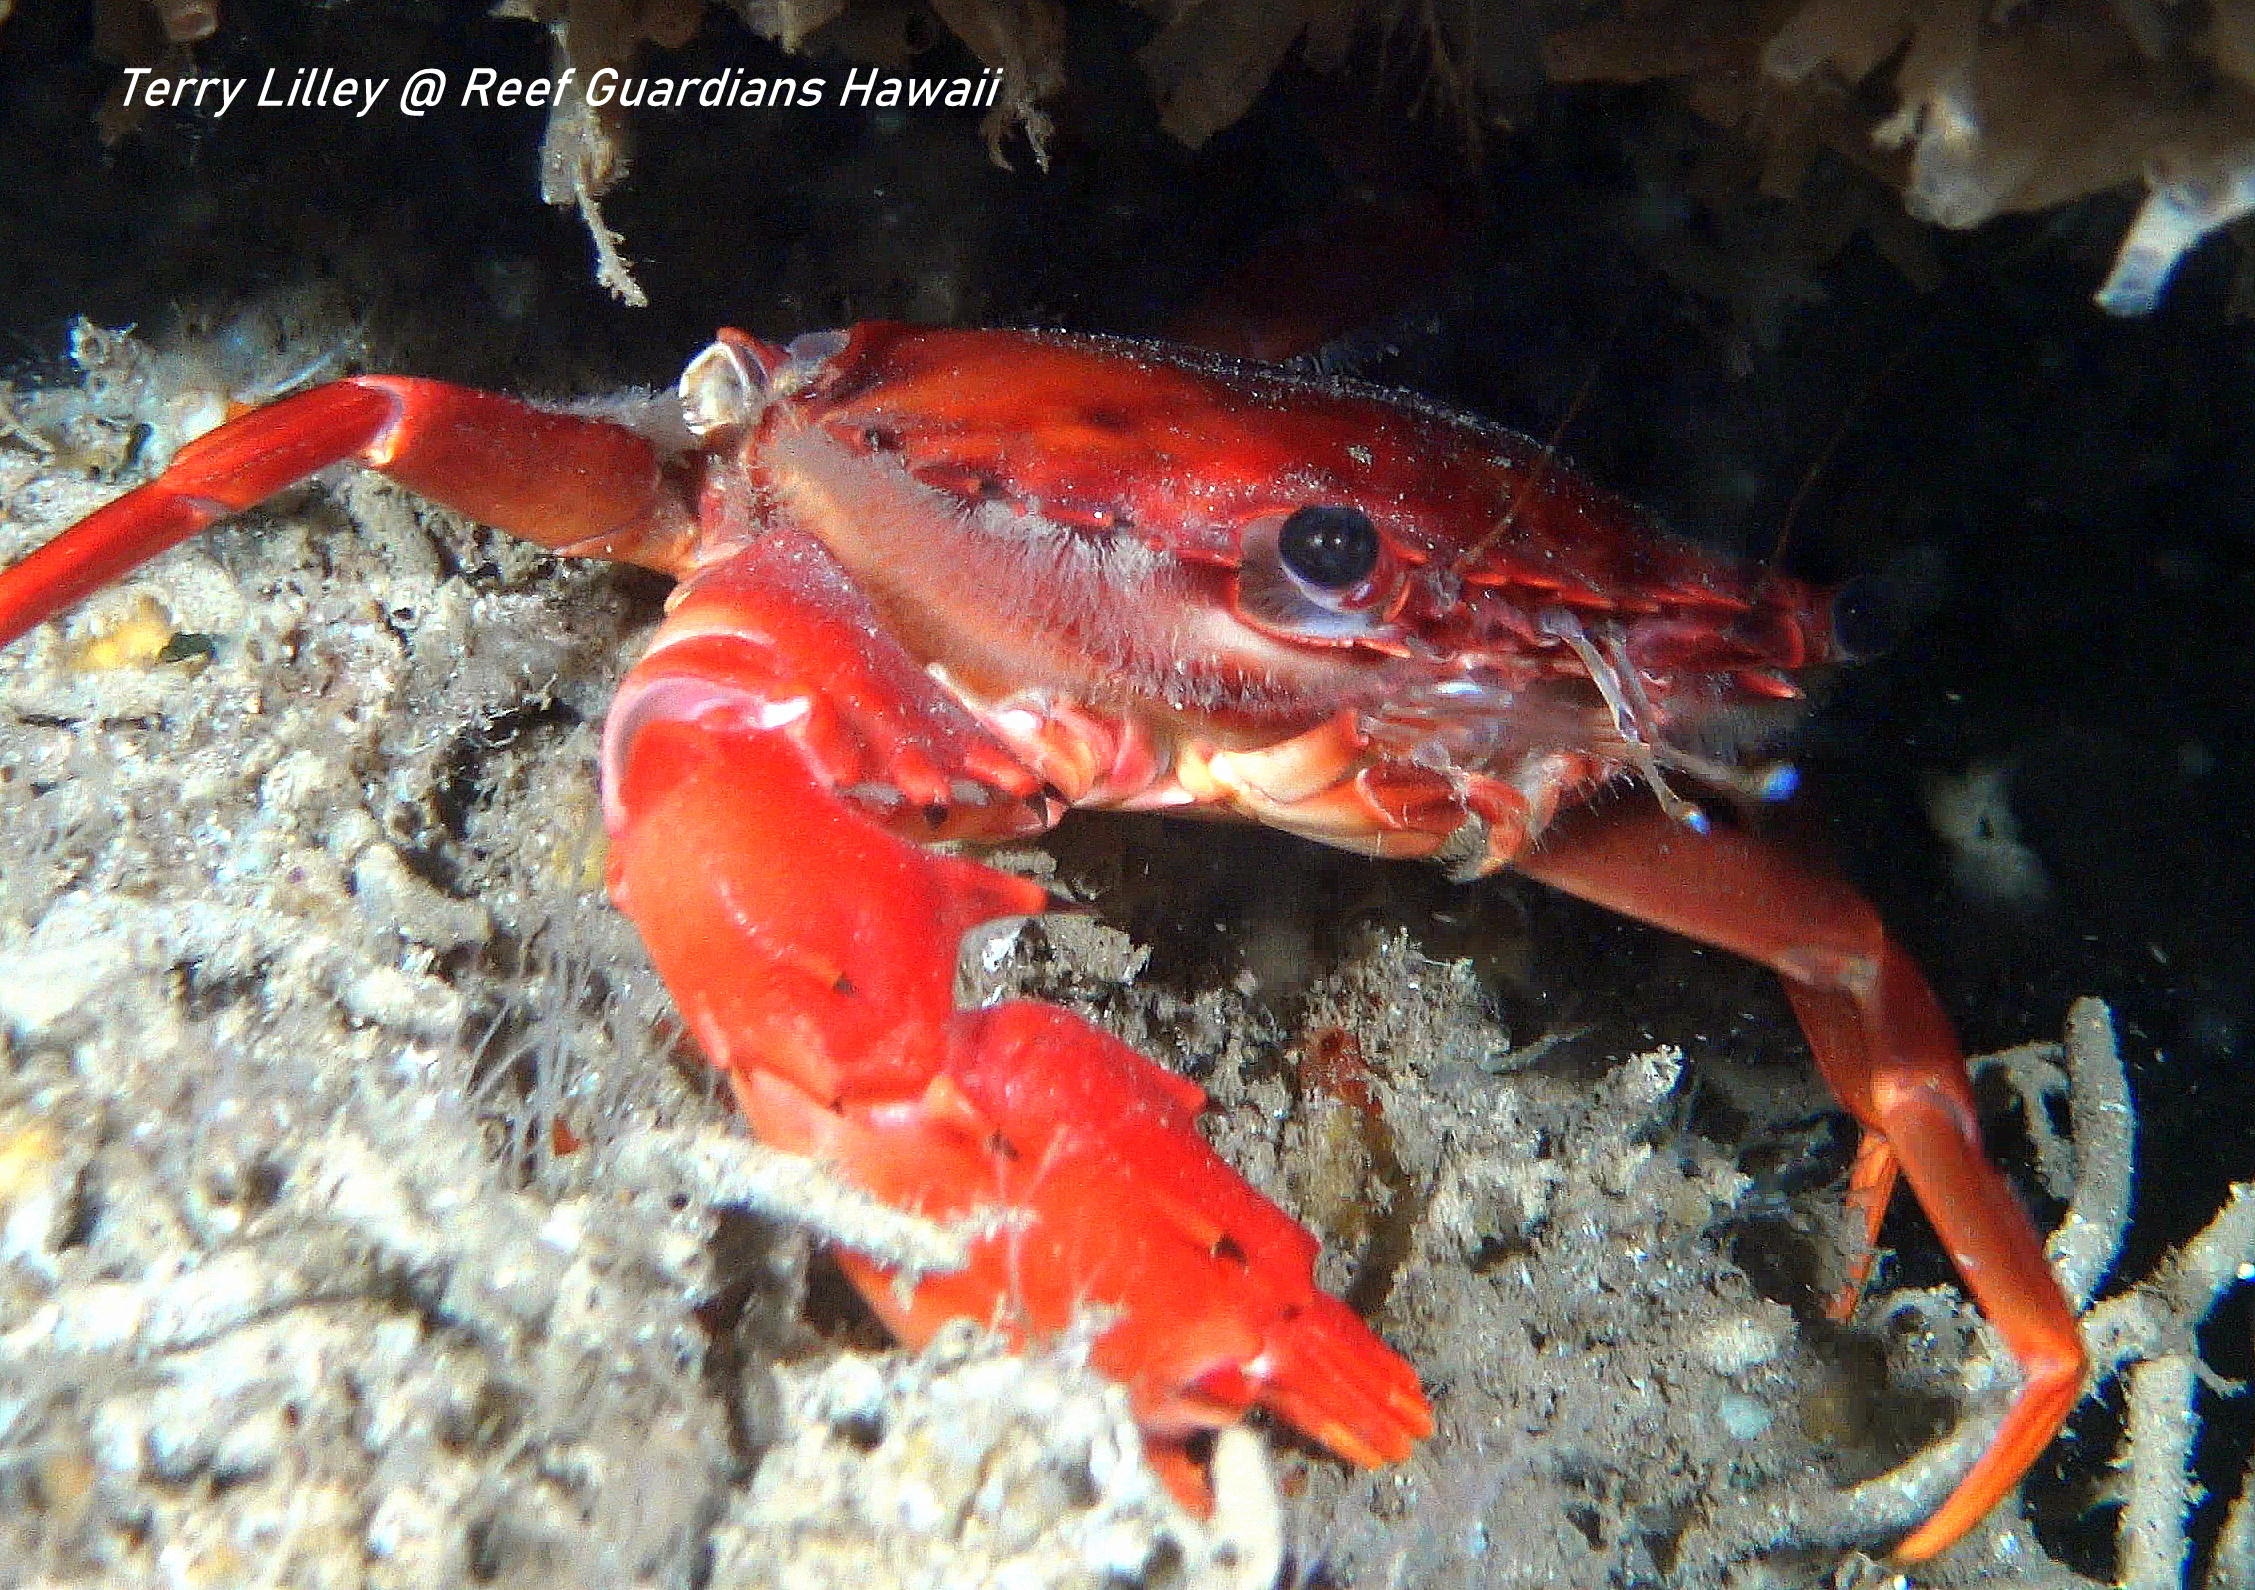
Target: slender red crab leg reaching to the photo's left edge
{"x":556,"y":479}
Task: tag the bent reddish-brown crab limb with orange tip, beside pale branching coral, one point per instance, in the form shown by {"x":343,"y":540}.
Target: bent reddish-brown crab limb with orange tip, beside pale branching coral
{"x":1889,"y":1054}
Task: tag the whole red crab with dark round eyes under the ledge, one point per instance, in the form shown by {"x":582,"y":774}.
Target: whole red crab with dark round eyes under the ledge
{"x":944,"y":585}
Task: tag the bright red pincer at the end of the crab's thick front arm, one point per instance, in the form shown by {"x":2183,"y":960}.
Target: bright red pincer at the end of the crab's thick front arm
{"x":1111,"y":1201}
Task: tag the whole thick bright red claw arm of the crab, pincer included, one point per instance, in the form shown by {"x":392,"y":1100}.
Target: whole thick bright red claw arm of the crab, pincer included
{"x":759,"y":766}
